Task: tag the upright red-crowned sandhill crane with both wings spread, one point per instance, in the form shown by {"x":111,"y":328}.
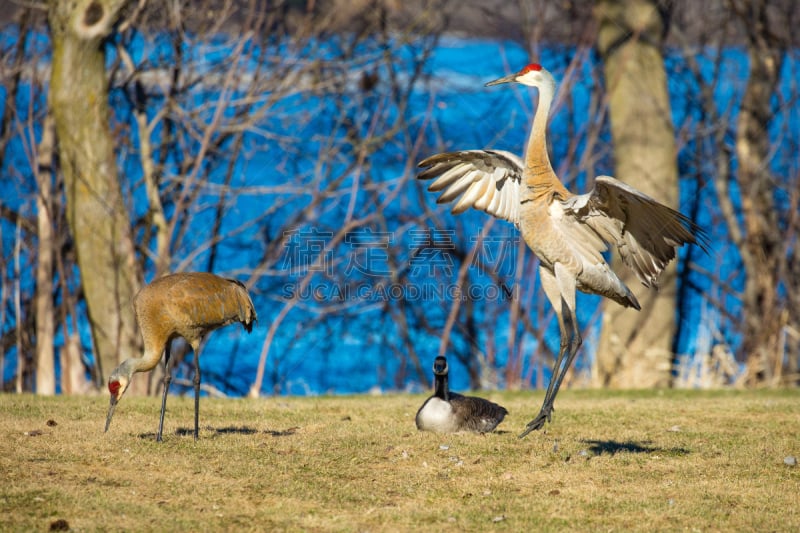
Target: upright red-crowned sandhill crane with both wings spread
{"x":567,"y":232}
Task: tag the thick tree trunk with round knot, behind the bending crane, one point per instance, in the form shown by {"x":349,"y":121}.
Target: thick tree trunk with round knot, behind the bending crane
{"x":96,"y":213}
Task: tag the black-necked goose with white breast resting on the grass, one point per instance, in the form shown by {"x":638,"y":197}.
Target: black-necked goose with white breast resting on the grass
{"x":449,"y":412}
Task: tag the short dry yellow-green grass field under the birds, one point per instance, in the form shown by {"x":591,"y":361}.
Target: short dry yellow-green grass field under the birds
{"x":610,"y":461}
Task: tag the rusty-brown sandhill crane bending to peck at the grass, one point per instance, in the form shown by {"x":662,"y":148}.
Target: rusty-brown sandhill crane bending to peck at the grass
{"x":188,"y":305}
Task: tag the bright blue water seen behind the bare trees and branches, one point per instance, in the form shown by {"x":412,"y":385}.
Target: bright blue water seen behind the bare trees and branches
{"x":360,"y":345}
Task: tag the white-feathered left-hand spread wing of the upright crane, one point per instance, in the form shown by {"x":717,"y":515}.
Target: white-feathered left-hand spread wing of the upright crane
{"x":488,"y":180}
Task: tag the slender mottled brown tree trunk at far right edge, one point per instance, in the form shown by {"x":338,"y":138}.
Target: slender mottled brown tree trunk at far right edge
{"x":763,"y":246}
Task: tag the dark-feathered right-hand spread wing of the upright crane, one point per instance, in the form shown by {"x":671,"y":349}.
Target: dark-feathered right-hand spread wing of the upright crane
{"x":646,"y":232}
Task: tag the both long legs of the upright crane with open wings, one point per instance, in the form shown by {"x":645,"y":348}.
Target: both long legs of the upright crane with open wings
{"x":560,"y":290}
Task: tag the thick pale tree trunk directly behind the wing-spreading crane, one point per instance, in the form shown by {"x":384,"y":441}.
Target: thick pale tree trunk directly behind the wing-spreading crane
{"x":635,"y":348}
